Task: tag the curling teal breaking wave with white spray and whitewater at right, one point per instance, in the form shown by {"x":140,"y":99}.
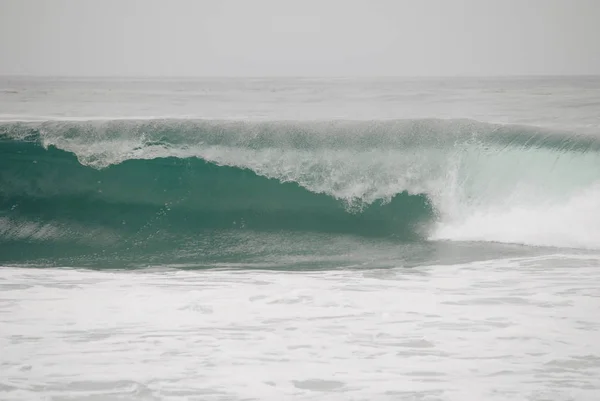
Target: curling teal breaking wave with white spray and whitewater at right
{"x":81,"y":187}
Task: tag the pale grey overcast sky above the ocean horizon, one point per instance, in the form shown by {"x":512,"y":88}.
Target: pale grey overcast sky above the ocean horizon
{"x":300,"y":38}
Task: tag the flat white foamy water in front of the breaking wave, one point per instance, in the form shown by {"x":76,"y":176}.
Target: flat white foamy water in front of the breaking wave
{"x":498,"y":330}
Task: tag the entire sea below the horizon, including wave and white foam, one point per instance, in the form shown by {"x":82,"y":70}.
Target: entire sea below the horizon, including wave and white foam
{"x":292,"y":238}
